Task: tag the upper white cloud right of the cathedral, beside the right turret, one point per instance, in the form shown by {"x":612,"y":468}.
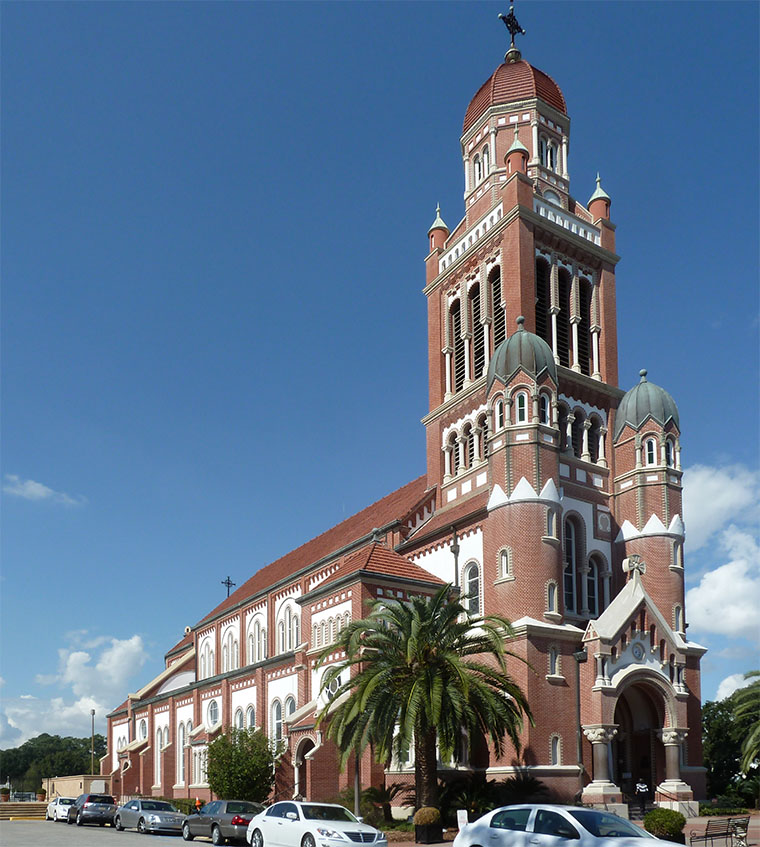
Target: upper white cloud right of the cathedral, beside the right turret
{"x":715,"y":496}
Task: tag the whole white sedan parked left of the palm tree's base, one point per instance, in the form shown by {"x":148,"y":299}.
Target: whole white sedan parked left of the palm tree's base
{"x":292,"y":824}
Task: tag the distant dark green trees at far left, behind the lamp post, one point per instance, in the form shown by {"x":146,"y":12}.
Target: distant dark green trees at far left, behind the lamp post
{"x":48,"y":755}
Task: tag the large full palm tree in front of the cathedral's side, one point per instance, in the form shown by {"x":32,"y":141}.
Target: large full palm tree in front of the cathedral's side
{"x":422,"y":672}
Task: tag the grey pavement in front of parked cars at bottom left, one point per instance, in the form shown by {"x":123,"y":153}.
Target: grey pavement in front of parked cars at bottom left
{"x":49,"y":834}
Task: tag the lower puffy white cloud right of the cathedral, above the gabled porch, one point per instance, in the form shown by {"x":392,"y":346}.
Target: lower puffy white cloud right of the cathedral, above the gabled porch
{"x":727,"y":598}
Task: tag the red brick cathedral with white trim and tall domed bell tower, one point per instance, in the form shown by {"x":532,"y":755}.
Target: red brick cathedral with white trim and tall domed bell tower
{"x":551,"y":496}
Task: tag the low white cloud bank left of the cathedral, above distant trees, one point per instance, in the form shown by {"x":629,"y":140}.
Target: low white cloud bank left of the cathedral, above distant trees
{"x":95,"y":679}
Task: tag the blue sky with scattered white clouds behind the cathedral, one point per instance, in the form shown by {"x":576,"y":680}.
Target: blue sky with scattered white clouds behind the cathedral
{"x":213,"y":231}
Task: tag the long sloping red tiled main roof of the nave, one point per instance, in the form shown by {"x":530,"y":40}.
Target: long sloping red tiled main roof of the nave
{"x":394,"y":506}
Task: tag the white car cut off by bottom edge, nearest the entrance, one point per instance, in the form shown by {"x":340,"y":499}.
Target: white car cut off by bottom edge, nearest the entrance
{"x":542,"y":824}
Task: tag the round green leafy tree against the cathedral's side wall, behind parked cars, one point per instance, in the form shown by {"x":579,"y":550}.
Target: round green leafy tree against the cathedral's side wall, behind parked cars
{"x":241,"y":764}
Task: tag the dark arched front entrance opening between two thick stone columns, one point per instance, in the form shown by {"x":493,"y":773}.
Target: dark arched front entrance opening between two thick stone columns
{"x":637,"y":750}
